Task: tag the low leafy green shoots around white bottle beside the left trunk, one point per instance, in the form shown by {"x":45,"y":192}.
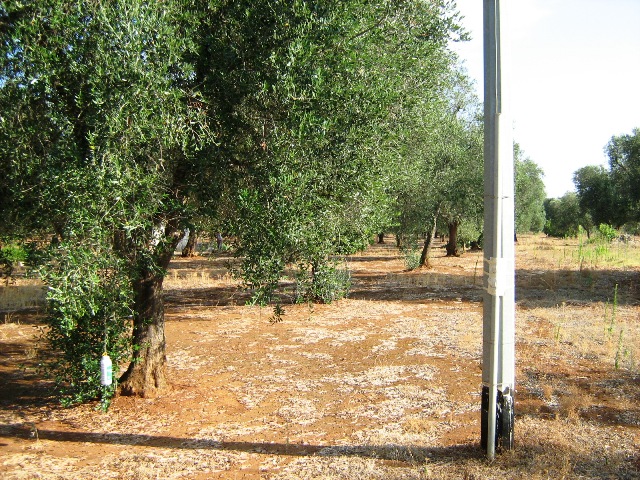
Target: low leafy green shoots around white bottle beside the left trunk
{"x":89,"y":311}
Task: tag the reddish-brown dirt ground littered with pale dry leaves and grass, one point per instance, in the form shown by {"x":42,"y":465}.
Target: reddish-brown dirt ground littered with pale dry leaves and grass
{"x":384,"y":384}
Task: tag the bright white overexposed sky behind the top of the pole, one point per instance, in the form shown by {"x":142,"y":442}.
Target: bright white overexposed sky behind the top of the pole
{"x":575,"y":78}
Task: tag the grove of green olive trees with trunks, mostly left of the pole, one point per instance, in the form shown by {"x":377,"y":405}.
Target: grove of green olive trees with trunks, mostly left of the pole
{"x":299,"y":128}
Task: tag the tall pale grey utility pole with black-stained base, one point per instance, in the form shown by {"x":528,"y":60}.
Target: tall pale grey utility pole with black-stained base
{"x":499,"y":279}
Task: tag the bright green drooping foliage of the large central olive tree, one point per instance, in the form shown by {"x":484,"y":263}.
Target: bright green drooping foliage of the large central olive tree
{"x":339,"y":77}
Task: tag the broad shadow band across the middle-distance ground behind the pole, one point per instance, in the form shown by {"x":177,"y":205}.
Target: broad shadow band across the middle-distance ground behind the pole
{"x":534,"y":288}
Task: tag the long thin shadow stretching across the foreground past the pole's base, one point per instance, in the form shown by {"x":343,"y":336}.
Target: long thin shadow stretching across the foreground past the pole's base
{"x":551,"y":460}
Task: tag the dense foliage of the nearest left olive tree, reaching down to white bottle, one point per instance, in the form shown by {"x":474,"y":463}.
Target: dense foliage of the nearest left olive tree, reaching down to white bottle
{"x":100,"y":130}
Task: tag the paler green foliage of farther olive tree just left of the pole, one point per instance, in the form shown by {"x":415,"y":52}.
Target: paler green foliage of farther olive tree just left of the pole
{"x":438,"y":177}
